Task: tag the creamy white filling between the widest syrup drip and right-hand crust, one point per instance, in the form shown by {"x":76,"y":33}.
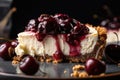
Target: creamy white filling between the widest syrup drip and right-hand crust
{"x":88,"y":44}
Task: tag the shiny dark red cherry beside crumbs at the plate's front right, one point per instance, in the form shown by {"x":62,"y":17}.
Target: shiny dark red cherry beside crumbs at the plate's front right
{"x":95,"y":67}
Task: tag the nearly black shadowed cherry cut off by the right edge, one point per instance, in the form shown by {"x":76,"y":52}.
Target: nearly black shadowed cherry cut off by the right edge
{"x":112,"y":53}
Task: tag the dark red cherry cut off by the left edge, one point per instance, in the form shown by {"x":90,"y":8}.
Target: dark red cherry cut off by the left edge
{"x":6,"y":51}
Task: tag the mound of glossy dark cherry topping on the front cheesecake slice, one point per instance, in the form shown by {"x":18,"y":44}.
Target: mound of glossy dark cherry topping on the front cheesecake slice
{"x":57,"y":24}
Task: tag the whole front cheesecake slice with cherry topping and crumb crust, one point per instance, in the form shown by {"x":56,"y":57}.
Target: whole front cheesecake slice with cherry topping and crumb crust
{"x":60,"y":38}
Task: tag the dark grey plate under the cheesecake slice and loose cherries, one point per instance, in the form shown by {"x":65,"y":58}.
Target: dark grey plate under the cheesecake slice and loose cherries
{"x":51,"y":71}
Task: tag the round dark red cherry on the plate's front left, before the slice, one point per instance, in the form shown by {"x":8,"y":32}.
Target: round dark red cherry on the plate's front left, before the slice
{"x":29,"y":65}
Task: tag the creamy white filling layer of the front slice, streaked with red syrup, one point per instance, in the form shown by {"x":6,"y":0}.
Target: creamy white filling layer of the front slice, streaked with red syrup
{"x":29,"y":44}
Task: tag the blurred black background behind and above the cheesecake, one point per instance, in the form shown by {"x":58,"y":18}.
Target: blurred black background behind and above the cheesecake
{"x":86,"y":11}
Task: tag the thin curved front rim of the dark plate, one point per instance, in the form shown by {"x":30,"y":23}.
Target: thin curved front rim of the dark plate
{"x":41,"y":77}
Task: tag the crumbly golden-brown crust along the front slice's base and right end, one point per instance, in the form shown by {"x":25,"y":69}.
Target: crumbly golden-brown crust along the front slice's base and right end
{"x":100,"y":43}
